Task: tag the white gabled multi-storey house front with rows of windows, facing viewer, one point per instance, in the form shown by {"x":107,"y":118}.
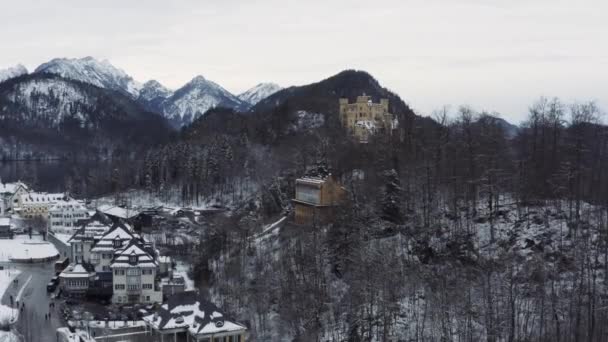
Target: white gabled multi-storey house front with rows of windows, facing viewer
{"x":134,"y":276}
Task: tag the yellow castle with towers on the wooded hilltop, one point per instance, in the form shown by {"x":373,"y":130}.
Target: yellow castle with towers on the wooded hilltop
{"x":364,"y":118}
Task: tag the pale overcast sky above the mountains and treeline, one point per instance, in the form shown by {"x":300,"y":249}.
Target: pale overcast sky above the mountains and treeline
{"x":490,"y":54}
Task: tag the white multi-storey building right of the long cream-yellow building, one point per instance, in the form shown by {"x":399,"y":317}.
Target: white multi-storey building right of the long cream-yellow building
{"x":67,"y":216}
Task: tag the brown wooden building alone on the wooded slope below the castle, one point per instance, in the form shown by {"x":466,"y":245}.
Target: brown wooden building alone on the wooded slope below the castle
{"x":316,"y":199}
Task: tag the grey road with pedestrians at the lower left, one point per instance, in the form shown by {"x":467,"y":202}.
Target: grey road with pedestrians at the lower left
{"x":31,"y":292}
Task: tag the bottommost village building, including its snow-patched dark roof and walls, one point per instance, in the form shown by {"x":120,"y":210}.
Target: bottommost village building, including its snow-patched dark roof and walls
{"x":187,"y":316}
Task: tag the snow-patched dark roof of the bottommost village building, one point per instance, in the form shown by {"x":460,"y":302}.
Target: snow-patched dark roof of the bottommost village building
{"x":190,"y":312}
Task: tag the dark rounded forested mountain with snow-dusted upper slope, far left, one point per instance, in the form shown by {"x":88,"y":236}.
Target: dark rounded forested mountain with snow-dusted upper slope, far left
{"x":47,"y":116}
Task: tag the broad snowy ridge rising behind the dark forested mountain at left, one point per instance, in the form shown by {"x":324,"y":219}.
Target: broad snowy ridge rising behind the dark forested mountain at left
{"x":89,"y":70}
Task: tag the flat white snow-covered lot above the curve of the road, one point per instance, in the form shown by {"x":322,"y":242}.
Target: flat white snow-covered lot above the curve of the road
{"x":22,"y":247}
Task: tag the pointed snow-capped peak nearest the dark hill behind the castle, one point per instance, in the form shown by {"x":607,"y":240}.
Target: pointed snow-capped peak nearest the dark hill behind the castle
{"x":195,"y":98}
